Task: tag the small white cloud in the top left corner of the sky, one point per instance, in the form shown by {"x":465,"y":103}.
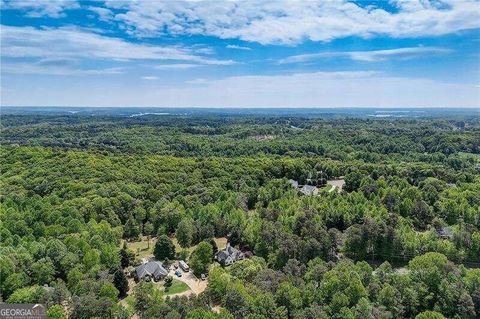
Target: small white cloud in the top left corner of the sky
{"x":40,"y":8}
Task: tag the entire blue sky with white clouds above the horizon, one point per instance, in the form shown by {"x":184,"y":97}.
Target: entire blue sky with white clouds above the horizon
{"x":398,"y":53}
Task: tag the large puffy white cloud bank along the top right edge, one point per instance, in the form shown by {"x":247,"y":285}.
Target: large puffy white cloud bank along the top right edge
{"x":291,"y":22}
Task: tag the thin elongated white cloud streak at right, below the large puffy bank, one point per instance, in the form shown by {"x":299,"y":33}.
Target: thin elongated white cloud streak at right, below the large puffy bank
{"x":369,"y":56}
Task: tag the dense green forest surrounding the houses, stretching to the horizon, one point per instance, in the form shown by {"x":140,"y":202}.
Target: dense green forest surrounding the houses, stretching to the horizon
{"x":401,"y":239}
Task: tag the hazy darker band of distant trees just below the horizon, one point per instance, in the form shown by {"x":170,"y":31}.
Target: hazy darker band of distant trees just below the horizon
{"x":342,"y":139}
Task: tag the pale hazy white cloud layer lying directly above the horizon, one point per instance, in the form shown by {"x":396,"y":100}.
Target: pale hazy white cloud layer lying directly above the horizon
{"x":320,"y":89}
